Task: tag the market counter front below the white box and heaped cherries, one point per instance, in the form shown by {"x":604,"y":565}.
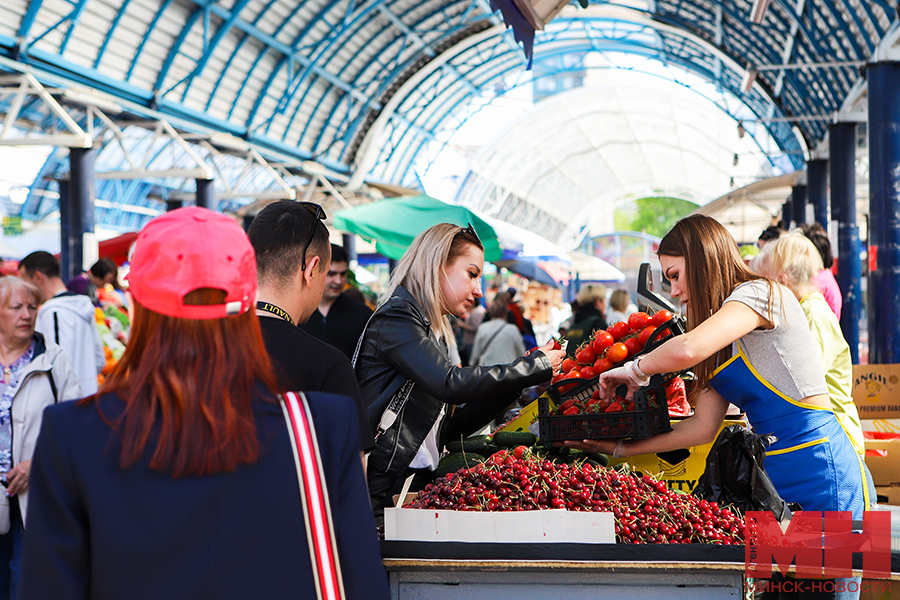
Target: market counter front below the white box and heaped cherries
{"x":455,"y":570}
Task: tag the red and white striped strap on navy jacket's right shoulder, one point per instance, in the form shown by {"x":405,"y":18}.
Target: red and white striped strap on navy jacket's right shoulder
{"x":323,"y":551}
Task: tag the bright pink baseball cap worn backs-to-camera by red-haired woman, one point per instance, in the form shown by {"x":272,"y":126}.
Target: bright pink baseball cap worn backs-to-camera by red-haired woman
{"x":188,"y":249}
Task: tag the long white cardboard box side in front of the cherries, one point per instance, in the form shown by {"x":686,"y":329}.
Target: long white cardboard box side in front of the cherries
{"x":534,"y":526}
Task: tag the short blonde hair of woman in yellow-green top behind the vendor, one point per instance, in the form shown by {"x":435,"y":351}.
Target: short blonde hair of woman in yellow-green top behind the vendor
{"x":792,"y":254}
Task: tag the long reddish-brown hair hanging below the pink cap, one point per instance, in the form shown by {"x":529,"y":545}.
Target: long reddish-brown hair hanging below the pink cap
{"x":187,"y":384}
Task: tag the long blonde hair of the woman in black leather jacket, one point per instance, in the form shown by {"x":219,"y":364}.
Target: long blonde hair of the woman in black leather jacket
{"x":421,"y":267}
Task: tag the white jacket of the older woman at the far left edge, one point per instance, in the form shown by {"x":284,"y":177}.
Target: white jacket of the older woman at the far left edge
{"x":35,"y":393}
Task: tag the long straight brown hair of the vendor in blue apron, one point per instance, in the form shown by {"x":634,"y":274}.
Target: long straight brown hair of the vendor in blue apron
{"x":714,"y":267}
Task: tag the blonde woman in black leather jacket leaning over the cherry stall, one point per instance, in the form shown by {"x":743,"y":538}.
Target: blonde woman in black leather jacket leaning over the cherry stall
{"x":417,"y":399}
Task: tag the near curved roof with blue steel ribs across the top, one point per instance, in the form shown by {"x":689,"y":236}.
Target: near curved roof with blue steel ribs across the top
{"x":362,"y":86}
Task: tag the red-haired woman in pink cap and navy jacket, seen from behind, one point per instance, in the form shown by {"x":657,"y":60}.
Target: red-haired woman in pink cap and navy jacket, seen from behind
{"x":180,"y":480}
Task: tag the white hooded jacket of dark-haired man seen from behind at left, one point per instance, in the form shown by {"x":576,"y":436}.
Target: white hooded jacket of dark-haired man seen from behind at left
{"x":68,"y":320}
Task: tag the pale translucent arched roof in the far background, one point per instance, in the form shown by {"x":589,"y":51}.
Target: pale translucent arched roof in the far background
{"x":561,"y":169}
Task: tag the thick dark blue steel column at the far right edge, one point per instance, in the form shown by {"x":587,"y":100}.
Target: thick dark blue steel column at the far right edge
{"x":884,"y":209}
